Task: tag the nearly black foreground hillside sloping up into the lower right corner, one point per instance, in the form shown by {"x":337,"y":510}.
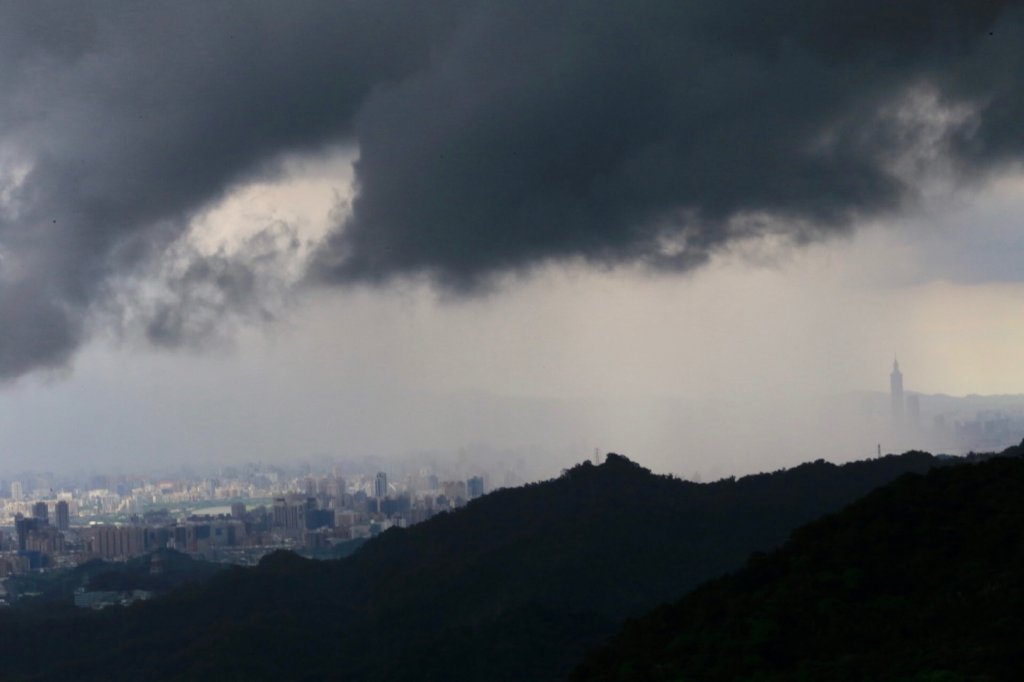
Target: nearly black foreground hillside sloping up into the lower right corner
{"x":922,"y":580}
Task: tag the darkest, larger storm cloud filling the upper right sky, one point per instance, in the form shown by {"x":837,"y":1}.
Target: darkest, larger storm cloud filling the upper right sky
{"x":659,"y":133}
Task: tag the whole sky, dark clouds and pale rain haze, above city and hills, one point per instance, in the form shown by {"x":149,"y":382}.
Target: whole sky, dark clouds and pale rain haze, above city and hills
{"x":235,"y":232}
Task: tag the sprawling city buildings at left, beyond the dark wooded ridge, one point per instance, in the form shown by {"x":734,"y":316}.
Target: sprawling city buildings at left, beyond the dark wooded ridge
{"x":237,"y":519}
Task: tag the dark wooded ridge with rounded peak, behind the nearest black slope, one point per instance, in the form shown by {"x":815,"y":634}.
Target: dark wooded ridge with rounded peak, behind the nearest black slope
{"x":518,"y":585}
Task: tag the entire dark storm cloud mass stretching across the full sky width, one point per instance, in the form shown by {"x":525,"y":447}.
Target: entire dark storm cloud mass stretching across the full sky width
{"x":493,"y":136}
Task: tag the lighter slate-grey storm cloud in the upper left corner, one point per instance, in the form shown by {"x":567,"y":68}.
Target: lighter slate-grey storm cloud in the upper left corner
{"x":130,"y":117}
